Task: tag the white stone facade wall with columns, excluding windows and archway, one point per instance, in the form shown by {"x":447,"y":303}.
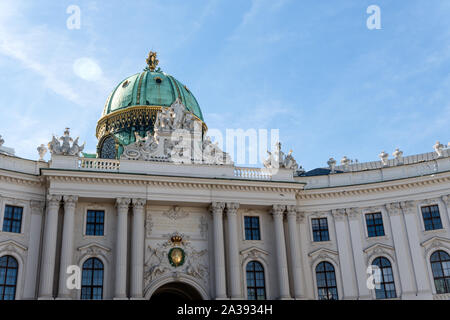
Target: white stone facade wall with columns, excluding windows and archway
{"x":145,"y":203}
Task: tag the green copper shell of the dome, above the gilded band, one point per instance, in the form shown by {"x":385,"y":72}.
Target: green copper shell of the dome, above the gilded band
{"x":150,"y":89}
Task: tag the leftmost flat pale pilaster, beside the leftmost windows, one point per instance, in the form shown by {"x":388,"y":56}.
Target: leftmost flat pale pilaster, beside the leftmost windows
{"x":37,"y":208}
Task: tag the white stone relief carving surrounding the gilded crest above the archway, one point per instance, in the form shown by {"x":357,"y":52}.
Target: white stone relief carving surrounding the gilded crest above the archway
{"x":157,"y":262}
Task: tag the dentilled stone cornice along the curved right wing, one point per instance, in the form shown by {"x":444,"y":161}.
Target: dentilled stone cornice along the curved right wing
{"x":370,"y":188}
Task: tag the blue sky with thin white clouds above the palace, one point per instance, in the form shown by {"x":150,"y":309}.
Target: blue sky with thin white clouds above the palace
{"x":309,"y":68}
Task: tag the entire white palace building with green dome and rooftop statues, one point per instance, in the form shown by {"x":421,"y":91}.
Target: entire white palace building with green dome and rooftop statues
{"x":162,"y":212}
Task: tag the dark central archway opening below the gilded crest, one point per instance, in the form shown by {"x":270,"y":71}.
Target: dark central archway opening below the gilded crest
{"x":176,"y":291}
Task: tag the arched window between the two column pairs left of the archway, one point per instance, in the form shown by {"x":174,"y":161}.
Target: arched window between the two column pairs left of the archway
{"x":92,"y":280}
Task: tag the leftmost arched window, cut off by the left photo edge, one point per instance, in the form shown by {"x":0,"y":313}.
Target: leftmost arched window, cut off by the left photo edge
{"x":8,"y":277}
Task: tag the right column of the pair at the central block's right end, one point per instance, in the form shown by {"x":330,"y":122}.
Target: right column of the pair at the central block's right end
{"x":296,"y":264}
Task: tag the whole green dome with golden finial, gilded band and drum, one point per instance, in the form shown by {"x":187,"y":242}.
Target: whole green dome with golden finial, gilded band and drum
{"x":133,"y":106}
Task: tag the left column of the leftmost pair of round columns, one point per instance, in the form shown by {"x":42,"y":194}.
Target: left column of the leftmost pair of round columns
{"x":49,"y":248}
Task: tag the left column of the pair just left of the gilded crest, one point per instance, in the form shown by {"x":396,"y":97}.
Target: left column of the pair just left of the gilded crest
{"x":122,"y":204}
